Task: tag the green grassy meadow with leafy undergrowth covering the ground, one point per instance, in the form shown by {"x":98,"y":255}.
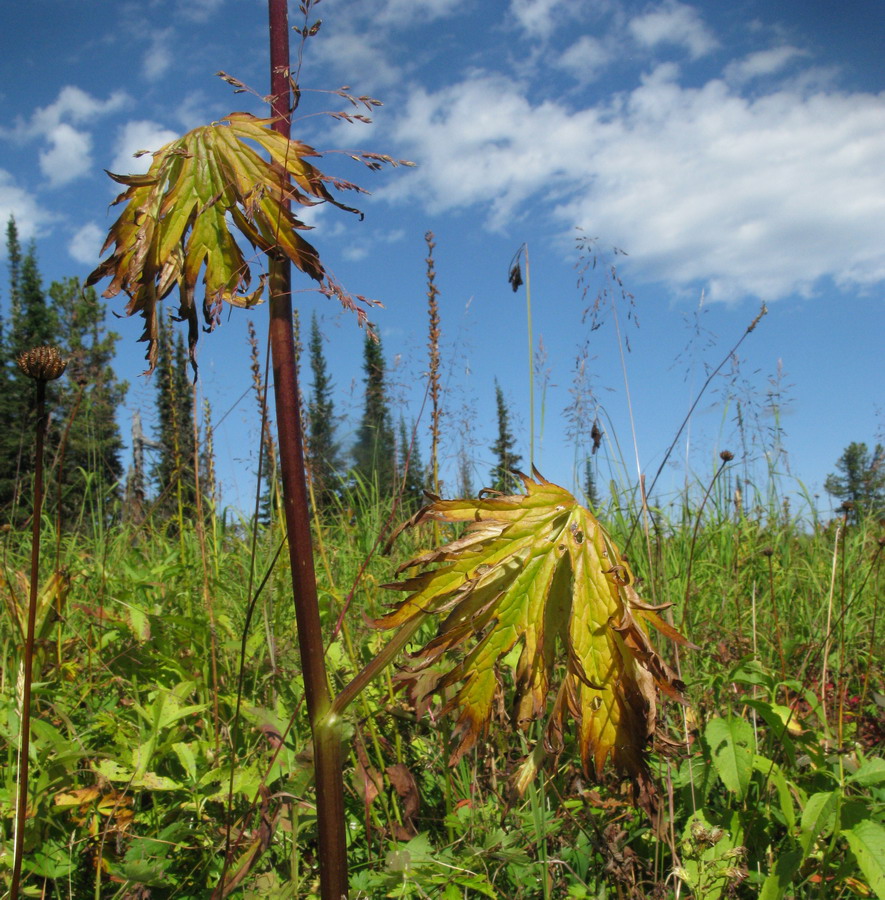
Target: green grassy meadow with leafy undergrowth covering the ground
{"x":132,"y":748}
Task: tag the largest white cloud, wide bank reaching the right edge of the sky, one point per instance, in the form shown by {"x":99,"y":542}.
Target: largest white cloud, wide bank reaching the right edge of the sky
{"x":703,"y":186}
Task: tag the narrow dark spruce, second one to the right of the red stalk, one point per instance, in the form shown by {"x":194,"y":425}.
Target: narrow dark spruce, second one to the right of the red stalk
{"x":374,"y":453}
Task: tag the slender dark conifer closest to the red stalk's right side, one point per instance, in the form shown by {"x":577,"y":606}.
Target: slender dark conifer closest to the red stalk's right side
{"x":323,"y":452}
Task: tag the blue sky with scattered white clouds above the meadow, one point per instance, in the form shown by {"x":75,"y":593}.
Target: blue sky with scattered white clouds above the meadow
{"x":735,"y":152}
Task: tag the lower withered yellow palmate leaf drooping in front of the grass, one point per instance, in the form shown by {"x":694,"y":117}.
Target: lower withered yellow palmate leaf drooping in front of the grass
{"x":539,"y":571}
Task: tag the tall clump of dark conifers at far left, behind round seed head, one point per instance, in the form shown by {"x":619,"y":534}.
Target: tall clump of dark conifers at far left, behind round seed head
{"x":83,"y":440}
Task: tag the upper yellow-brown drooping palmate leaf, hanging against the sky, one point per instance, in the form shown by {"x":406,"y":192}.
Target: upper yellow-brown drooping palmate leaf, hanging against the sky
{"x":178,"y":217}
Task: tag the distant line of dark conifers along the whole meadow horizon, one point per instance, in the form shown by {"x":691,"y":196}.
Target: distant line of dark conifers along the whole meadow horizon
{"x":85,"y":446}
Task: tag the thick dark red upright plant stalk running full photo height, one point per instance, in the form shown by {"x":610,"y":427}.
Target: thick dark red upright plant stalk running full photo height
{"x":326,"y":734}
